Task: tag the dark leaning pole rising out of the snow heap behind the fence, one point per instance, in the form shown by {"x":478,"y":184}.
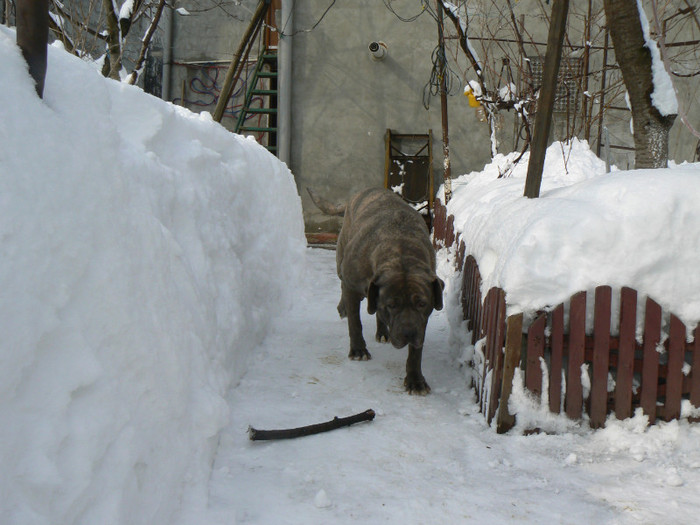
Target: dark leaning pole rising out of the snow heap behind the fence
{"x":545,"y":103}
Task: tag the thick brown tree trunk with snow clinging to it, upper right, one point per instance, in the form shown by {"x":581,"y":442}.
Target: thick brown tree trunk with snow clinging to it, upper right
{"x":651,"y":128}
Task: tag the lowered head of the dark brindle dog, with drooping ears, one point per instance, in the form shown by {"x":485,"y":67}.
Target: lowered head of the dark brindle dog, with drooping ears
{"x":404,"y":303}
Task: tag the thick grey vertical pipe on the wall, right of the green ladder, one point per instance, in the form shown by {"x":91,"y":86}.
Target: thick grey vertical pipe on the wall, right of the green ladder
{"x":284,"y":116}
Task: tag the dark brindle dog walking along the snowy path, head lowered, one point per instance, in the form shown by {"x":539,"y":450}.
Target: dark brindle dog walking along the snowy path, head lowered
{"x":384,"y":253}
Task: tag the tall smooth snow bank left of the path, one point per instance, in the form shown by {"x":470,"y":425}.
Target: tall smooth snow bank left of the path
{"x":144,"y":251}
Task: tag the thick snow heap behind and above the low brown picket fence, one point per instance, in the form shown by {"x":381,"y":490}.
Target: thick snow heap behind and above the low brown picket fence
{"x":636,"y":228}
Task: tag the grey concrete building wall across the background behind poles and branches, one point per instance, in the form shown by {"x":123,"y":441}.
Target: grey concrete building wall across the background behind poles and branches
{"x":343,"y":101}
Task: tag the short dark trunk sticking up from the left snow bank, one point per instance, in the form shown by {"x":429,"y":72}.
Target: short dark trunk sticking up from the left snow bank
{"x":33,"y":37}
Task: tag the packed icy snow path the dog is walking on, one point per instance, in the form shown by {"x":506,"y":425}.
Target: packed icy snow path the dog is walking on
{"x":423,"y":459}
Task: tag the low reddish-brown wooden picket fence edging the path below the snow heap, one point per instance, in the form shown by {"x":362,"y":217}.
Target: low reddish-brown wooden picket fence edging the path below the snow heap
{"x":599,"y":371}
